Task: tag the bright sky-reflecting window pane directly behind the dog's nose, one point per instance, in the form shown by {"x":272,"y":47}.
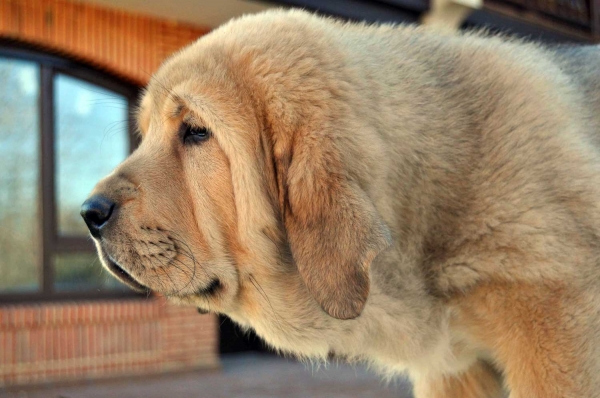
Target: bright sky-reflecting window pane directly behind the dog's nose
{"x":91,"y":140}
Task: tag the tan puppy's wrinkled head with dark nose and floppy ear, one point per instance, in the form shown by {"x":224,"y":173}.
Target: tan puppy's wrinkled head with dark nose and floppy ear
{"x":252,"y":175}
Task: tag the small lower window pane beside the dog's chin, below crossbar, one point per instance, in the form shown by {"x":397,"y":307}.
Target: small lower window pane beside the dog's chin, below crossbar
{"x":82,"y":272}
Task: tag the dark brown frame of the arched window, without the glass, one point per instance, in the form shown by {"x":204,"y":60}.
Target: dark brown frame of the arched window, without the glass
{"x":50,"y":241}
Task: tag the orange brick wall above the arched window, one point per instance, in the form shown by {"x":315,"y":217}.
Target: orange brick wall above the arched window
{"x":127,"y":44}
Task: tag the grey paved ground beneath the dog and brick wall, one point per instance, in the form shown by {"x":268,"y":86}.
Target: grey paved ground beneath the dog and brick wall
{"x":247,"y":376}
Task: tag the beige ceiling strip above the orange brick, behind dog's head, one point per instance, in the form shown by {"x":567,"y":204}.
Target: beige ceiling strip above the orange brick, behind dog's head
{"x":208,"y":13}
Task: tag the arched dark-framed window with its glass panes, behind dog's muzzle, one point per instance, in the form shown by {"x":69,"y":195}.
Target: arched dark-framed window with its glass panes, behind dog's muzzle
{"x":63,"y":126}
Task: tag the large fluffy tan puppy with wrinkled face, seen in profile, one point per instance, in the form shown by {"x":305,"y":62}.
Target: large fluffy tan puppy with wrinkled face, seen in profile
{"x":426,"y":203}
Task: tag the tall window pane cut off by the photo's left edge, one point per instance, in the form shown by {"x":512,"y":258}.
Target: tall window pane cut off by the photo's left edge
{"x":19,"y":167}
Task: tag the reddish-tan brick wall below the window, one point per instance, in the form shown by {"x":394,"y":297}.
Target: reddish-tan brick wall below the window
{"x":47,"y":343}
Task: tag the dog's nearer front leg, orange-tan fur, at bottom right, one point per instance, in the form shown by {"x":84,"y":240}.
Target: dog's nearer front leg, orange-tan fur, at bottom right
{"x":537,"y":334}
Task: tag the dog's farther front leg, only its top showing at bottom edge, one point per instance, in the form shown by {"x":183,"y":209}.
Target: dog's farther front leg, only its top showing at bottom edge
{"x":479,"y":381}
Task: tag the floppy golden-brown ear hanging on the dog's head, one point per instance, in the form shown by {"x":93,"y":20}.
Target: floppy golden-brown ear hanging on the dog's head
{"x":332,"y":226}
